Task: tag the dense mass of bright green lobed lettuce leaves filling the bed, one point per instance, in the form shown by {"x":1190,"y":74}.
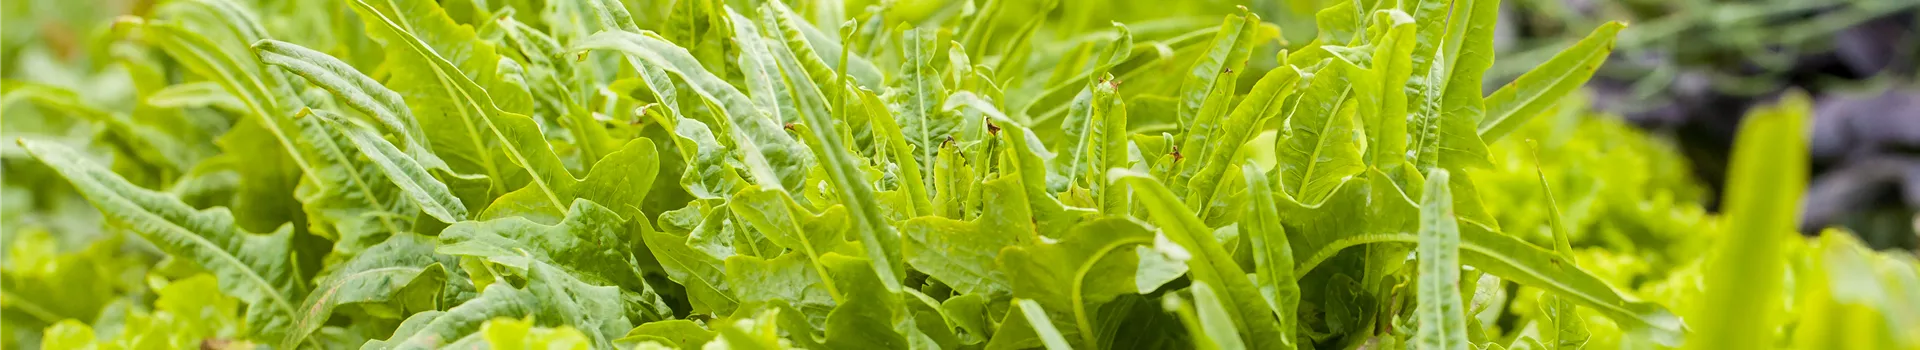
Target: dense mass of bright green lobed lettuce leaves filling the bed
{"x":734,"y":176}
